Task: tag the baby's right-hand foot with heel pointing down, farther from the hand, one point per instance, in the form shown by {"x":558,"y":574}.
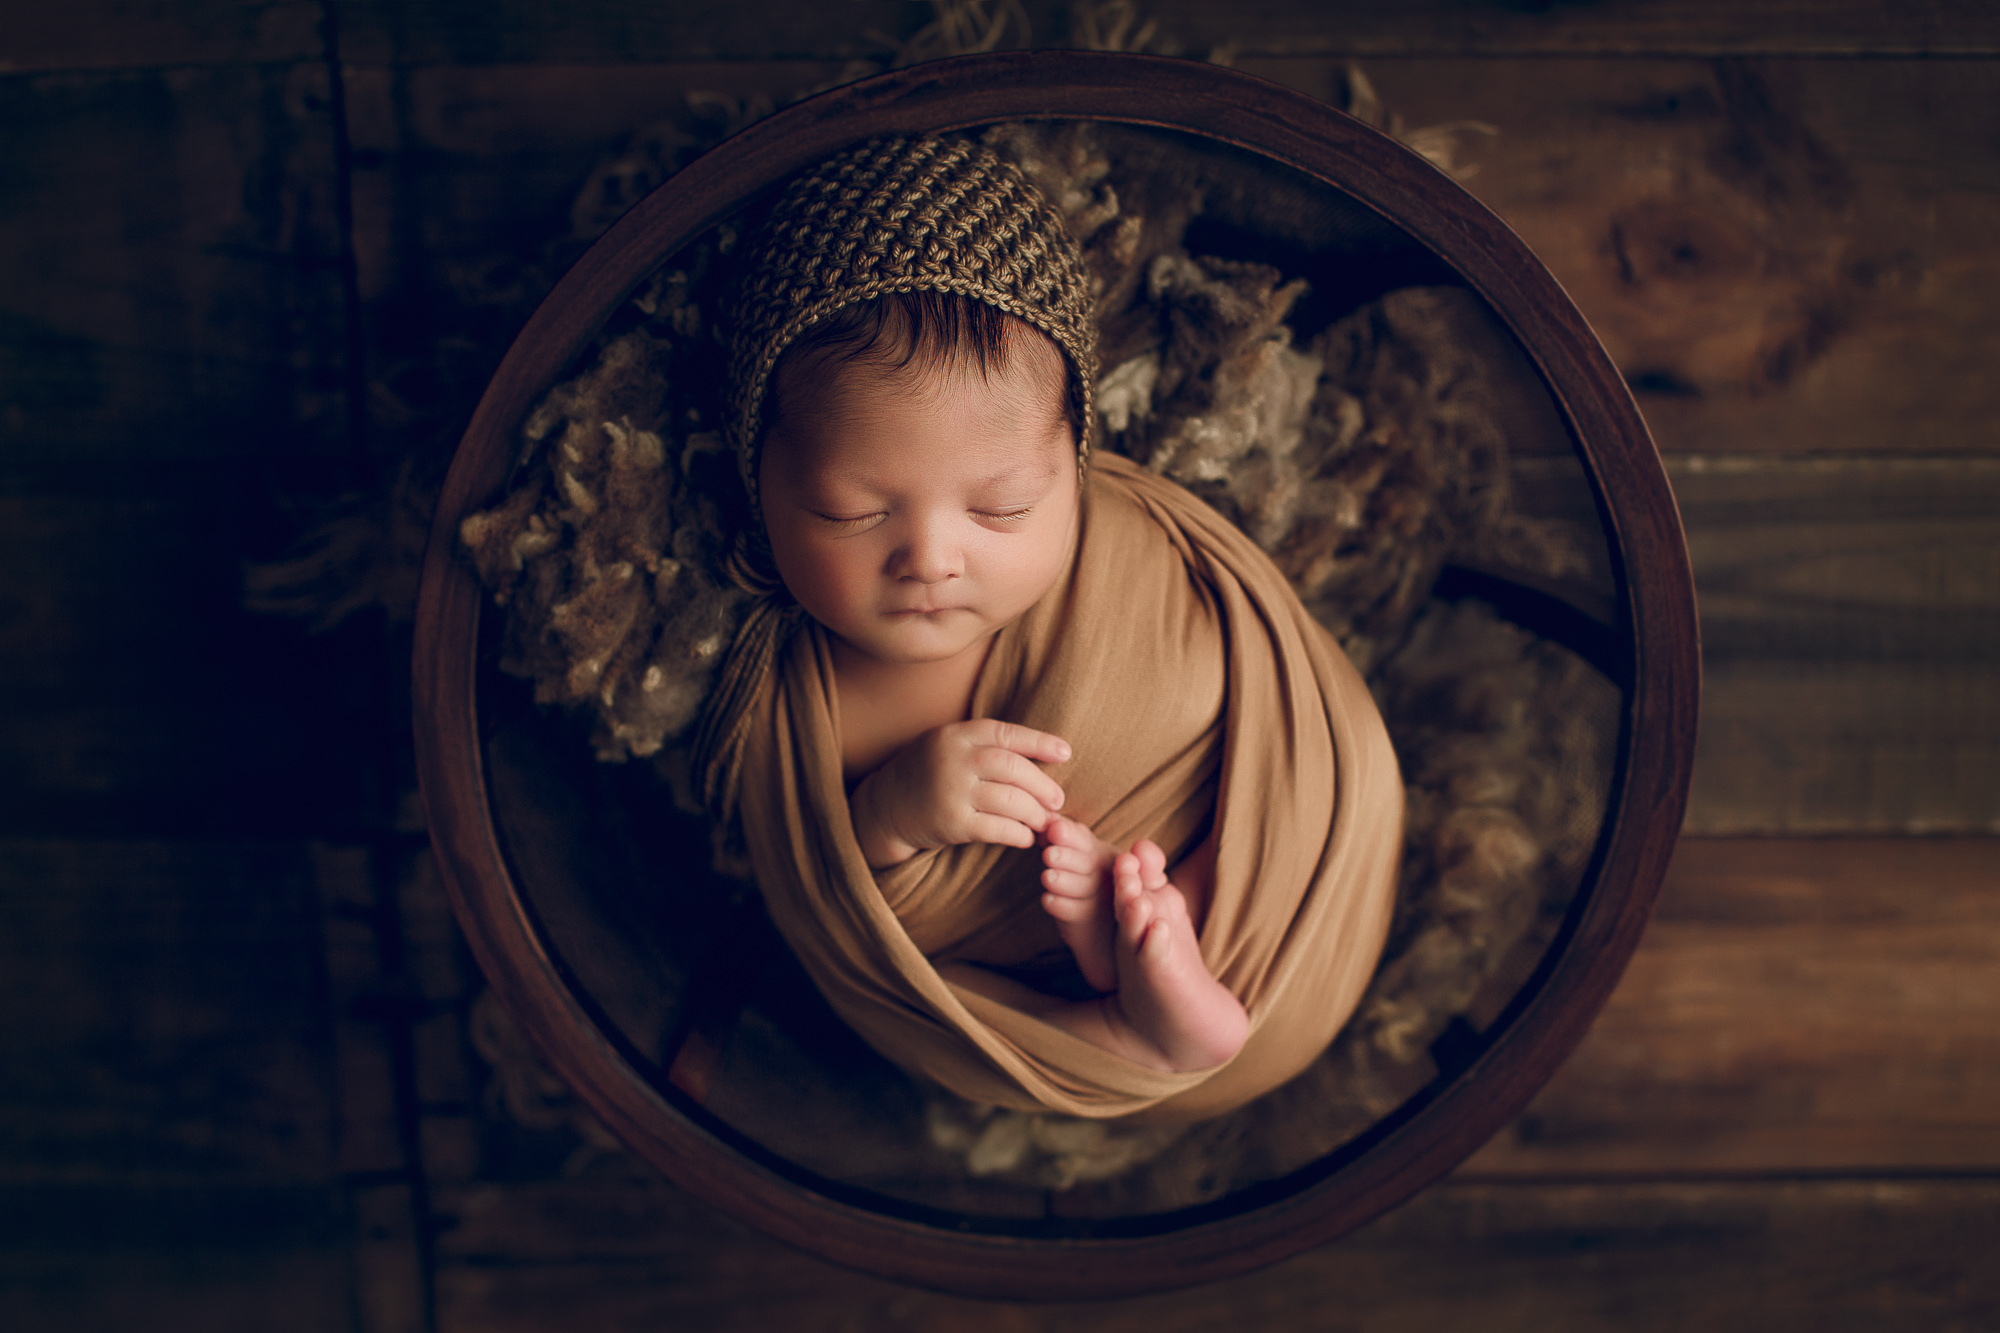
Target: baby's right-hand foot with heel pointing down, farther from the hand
{"x":1165,"y":990}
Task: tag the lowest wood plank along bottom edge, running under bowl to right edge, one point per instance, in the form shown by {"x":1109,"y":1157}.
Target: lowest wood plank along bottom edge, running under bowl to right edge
{"x":1647,"y":1256}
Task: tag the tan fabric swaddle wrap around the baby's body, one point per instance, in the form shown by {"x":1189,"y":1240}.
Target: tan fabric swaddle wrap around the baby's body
{"x":1201,"y":704}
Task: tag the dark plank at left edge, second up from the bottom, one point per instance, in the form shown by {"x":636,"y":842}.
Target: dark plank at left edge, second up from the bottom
{"x":163,"y":1016}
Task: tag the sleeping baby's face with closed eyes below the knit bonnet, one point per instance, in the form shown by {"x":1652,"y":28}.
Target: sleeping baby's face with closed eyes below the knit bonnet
{"x":917,"y":511}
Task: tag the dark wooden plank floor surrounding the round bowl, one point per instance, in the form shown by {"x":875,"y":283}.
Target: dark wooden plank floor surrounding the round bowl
{"x":259,"y":253}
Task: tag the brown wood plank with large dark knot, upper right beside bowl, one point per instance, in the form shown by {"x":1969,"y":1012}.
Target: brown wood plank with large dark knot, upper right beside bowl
{"x":1781,"y":255}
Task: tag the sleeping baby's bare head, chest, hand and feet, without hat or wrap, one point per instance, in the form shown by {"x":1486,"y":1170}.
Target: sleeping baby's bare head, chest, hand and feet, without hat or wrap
{"x":921,"y":491}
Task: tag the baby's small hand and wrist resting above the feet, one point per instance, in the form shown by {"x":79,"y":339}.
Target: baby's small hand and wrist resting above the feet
{"x":959,"y":784}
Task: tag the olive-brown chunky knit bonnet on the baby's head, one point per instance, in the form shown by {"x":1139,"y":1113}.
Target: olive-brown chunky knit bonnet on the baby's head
{"x":907,"y":215}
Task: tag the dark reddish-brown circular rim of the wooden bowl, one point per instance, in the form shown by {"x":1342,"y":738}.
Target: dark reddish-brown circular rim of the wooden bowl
{"x":1649,"y":647}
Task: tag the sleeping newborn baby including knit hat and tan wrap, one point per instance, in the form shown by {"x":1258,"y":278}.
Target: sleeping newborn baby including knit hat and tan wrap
{"x":1009,"y":712}
